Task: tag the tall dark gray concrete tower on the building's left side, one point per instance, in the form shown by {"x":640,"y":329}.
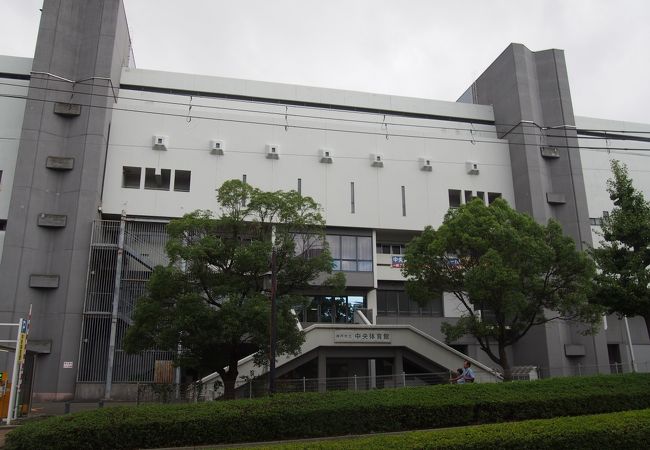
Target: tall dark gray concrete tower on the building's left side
{"x":76,"y":40}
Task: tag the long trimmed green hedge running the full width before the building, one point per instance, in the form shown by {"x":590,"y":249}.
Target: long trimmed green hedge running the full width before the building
{"x":289,"y":416}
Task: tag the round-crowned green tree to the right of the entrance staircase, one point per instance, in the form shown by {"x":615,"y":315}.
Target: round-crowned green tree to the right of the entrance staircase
{"x":508,"y":272}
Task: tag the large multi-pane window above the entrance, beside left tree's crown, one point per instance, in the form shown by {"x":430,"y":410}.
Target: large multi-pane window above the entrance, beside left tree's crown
{"x":351,"y":253}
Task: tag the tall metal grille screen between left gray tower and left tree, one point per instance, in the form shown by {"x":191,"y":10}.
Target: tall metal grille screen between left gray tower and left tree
{"x":123,"y":254}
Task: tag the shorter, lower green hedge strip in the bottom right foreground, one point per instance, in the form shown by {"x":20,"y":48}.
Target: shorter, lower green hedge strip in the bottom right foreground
{"x":625,"y":430}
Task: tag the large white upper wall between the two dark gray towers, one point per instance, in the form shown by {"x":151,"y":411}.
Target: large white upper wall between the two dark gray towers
{"x":246,"y":127}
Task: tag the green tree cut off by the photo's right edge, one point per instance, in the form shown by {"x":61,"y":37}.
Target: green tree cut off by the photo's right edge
{"x":623,"y":257}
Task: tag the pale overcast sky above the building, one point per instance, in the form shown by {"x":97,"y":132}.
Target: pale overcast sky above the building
{"x":418,"y":48}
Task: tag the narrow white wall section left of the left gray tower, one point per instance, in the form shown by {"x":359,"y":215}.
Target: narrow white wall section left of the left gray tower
{"x":12,"y":108}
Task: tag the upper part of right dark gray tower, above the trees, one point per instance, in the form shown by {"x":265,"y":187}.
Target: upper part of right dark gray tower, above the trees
{"x":532,"y":108}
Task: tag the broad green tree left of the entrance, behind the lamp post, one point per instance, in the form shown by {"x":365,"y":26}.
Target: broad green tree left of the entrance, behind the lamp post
{"x":210,"y":301}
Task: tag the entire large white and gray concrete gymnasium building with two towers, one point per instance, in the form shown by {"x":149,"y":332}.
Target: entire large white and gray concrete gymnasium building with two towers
{"x":96,"y":156}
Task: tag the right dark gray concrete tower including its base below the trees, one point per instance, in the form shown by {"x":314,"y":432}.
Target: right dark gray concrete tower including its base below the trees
{"x":532,"y":108}
